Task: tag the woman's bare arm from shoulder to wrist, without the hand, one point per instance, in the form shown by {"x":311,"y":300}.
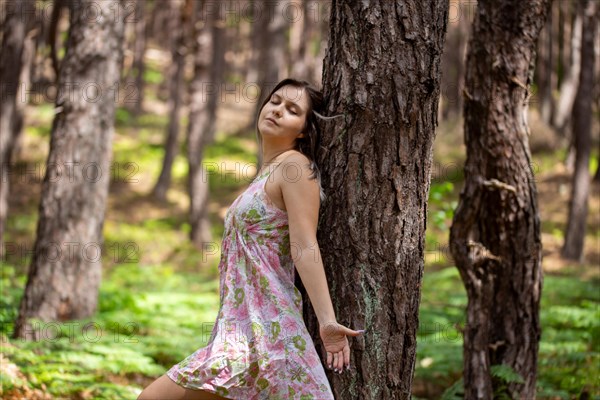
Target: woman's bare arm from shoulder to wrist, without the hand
{"x":301,"y":198}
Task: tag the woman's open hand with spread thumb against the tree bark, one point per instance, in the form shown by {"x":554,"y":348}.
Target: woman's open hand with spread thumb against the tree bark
{"x":336,"y":345}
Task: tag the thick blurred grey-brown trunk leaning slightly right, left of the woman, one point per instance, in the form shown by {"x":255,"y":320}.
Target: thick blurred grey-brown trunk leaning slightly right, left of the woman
{"x":65,"y":271}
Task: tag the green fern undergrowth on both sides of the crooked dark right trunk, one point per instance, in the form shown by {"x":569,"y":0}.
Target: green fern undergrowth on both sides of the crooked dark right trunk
{"x":569,"y":353}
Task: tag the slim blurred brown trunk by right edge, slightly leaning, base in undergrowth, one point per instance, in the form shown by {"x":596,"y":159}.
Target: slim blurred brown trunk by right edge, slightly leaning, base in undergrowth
{"x":582,"y":119}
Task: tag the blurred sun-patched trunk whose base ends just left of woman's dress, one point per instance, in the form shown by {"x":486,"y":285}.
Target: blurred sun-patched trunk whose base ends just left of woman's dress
{"x":204,"y":97}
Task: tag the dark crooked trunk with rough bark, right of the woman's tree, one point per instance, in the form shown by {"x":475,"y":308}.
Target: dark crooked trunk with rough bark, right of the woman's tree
{"x":495,"y":235}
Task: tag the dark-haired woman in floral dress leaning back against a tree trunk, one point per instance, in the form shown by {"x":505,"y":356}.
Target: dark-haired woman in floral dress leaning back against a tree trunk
{"x":259,"y":347}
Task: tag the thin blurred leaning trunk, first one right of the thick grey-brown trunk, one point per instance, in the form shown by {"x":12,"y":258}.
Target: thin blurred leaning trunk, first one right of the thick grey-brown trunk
{"x":178,"y":51}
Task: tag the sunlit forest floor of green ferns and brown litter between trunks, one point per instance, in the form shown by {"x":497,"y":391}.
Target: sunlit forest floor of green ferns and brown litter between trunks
{"x":158,"y":290}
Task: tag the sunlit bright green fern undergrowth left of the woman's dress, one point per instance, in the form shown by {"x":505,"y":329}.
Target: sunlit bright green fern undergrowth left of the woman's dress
{"x":149,"y":318}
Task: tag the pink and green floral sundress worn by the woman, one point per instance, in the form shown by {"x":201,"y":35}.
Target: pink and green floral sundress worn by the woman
{"x":259,"y":347}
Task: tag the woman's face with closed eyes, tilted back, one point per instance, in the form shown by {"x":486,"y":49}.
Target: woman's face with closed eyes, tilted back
{"x":284,"y":115}
